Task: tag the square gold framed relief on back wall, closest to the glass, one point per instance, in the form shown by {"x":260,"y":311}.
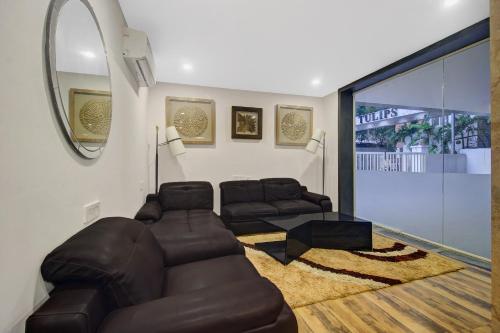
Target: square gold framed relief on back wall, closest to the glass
{"x":293,"y":125}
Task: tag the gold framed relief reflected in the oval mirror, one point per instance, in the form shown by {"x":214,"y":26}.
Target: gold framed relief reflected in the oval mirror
{"x":89,"y":115}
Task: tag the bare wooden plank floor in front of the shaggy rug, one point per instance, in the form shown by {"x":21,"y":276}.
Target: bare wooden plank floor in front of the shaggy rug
{"x":453,"y":302}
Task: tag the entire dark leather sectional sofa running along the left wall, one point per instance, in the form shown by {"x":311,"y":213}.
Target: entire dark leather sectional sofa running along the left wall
{"x":182,"y":272}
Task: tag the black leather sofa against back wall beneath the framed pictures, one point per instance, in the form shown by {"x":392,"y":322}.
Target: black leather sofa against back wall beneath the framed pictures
{"x":244,"y":202}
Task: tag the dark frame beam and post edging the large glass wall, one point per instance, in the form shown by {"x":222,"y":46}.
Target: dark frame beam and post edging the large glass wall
{"x":455,"y":42}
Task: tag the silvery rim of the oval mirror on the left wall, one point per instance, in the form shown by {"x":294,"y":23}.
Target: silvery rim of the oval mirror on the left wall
{"x":56,"y":98}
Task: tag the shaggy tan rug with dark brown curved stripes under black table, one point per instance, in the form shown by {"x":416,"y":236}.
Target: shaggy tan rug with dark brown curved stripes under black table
{"x":321,"y":274}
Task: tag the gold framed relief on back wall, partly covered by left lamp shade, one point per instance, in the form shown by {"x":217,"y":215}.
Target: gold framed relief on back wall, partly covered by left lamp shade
{"x":194,"y":119}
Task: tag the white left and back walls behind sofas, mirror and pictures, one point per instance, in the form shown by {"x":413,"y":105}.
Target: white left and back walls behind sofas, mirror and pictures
{"x":44,"y":185}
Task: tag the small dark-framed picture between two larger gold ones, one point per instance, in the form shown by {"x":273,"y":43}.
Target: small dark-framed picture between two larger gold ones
{"x":246,"y":123}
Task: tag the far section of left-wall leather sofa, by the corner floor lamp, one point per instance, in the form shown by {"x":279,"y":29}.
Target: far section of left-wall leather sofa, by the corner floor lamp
{"x":182,"y":219}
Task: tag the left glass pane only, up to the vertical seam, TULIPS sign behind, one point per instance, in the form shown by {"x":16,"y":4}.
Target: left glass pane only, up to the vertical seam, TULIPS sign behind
{"x":399,"y":178}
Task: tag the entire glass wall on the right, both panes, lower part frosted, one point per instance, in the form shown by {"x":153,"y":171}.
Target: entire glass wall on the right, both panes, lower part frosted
{"x":423,"y":151}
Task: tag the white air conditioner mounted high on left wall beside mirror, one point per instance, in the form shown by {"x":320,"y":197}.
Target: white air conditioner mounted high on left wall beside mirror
{"x":139,"y":57}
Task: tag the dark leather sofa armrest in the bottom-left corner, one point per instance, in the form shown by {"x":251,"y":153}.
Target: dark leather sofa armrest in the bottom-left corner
{"x":74,"y":309}
